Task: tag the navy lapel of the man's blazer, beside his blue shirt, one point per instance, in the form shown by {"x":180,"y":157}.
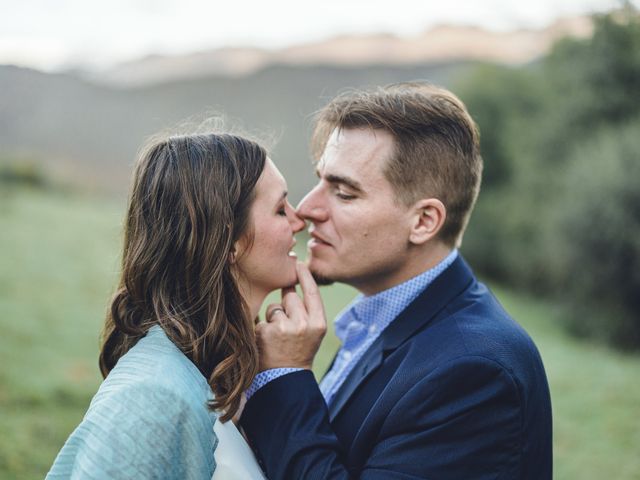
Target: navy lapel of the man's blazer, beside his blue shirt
{"x":449,"y":284}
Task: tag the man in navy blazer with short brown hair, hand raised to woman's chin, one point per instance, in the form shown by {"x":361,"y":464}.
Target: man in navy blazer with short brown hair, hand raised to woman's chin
{"x":433,"y":379}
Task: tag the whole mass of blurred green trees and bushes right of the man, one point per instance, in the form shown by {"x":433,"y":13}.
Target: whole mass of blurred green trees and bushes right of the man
{"x":558,"y":213}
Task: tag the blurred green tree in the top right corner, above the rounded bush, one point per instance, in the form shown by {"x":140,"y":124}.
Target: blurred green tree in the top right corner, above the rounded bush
{"x":593,"y":82}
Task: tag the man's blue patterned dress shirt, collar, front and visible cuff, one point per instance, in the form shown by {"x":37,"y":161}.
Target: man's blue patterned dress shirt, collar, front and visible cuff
{"x":359,"y":325}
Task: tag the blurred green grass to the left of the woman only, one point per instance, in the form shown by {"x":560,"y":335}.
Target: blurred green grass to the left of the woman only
{"x":57,"y":268}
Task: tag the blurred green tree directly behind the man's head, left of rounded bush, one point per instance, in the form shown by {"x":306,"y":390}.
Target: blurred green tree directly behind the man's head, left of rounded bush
{"x":505,"y":102}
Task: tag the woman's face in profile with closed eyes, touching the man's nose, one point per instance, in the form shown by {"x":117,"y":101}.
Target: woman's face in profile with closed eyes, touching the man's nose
{"x":269,"y":262}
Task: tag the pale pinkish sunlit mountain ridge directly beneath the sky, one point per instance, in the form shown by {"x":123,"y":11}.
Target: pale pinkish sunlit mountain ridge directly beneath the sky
{"x":442,"y":43}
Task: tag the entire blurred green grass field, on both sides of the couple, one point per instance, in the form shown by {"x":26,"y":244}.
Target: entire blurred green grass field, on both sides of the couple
{"x":58,"y":267}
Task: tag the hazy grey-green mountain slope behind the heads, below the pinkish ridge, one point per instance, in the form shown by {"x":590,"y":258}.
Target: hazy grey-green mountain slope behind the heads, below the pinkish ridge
{"x":88,"y":134}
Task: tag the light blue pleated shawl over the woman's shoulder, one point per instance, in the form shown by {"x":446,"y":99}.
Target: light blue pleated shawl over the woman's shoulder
{"x":148,"y":420}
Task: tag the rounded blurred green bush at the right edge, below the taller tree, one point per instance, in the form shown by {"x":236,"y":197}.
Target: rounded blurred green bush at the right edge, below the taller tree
{"x":597,"y":230}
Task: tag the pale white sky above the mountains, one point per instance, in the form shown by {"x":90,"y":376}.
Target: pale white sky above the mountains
{"x":58,"y":34}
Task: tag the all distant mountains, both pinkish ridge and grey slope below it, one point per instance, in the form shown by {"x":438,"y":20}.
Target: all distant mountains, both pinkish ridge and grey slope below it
{"x":88,"y":130}
